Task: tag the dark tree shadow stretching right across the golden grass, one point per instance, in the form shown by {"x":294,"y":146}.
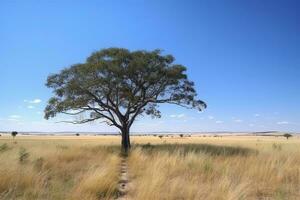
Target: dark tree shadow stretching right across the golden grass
{"x":213,"y":150}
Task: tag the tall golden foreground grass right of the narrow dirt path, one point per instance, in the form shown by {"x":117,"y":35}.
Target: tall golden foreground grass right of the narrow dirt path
{"x":213,"y":172}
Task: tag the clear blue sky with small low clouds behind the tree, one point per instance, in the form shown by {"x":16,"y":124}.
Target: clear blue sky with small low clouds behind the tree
{"x":244,"y":57}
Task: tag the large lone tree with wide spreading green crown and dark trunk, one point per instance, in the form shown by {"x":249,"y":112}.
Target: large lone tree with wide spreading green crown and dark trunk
{"x":116,"y":86}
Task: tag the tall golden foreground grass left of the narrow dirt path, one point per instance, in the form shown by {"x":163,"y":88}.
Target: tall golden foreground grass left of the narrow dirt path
{"x":51,"y":171}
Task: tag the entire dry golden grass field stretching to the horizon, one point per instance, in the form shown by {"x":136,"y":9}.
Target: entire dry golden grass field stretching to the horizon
{"x":197,"y":167}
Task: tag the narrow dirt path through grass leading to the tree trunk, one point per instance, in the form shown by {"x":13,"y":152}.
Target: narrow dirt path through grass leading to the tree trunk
{"x":124,"y":181}
